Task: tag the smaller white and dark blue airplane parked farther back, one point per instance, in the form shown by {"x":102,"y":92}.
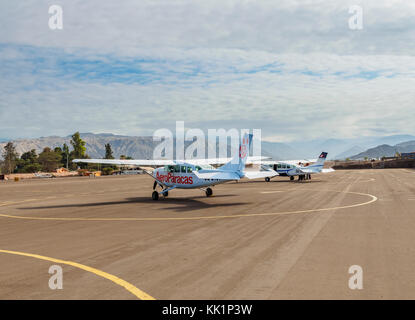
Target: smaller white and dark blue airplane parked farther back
{"x":301,"y":168}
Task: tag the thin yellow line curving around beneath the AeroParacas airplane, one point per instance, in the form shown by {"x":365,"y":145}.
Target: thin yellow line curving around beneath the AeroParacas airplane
{"x":373,"y":199}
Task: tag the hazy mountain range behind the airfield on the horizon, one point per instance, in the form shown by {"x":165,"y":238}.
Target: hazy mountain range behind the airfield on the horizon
{"x":142,"y":147}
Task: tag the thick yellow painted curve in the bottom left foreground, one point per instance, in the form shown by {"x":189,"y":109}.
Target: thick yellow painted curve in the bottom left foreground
{"x":126,"y":285}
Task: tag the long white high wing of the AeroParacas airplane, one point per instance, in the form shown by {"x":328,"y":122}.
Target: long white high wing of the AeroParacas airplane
{"x":159,"y":163}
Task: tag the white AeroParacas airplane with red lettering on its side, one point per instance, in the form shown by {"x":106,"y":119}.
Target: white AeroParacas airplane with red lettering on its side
{"x":195,"y":173}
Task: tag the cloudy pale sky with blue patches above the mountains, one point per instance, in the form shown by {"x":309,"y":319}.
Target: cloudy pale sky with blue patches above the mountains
{"x":291,"y":68}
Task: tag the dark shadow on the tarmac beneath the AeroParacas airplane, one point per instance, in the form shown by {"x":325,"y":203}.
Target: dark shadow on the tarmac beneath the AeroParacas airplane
{"x":185,"y":204}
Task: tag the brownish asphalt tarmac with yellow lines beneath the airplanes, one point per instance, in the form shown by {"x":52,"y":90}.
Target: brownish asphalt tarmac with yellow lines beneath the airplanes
{"x":250,"y":240}
